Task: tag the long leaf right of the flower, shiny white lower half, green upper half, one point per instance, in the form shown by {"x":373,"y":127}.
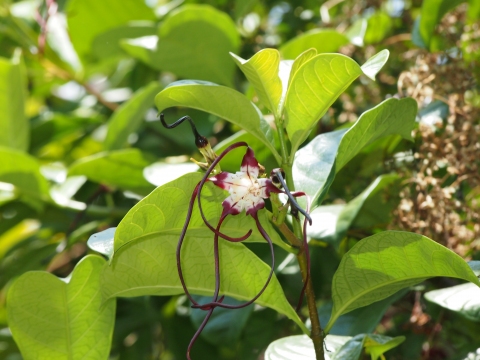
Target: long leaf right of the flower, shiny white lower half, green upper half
{"x":316,"y":164}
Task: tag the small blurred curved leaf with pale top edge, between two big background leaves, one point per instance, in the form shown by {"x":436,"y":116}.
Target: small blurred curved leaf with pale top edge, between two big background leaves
{"x":107,"y":44}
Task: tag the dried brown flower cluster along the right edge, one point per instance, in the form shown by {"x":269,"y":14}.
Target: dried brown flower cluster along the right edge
{"x":441,"y":198}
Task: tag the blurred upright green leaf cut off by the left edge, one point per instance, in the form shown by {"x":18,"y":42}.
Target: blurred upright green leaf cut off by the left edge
{"x":14,"y":125}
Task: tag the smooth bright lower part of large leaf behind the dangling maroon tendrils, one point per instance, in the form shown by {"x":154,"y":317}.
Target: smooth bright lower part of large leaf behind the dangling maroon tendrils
{"x":147,"y":266}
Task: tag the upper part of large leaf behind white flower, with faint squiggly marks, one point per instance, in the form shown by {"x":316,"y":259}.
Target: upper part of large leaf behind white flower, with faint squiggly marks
{"x":164,"y":211}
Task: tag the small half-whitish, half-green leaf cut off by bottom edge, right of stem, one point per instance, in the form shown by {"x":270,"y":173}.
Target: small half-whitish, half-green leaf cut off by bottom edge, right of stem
{"x":374,"y":344}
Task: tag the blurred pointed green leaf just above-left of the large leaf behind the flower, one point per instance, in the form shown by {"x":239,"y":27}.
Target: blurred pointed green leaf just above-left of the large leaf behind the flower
{"x":119,"y":168}
